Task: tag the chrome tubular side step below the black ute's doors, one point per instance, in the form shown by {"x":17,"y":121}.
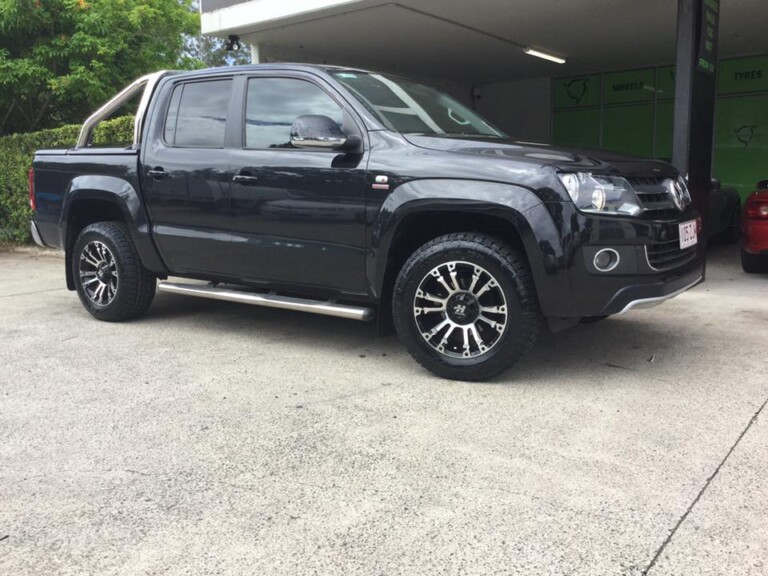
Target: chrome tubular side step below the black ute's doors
{"x":268,"y":300}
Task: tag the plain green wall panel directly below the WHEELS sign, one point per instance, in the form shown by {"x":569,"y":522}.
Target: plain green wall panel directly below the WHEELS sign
{"x":629,"y":130}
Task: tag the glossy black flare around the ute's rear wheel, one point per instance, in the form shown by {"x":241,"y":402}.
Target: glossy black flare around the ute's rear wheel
{"x":122,"y":194}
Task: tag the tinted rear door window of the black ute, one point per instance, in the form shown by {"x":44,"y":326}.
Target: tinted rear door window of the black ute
{"x":197,"y":114}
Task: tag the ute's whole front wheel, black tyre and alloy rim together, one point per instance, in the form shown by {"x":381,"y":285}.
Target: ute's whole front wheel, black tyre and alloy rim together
{"x":465,"y":306}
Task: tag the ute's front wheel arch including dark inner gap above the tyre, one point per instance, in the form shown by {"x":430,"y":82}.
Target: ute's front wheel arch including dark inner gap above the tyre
{"x":420,"y":211}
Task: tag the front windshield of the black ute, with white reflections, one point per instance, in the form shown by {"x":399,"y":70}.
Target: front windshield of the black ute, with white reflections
{"x":412,"y":108}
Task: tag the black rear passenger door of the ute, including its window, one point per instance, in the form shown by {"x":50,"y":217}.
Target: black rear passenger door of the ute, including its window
{"x":185,"y":175}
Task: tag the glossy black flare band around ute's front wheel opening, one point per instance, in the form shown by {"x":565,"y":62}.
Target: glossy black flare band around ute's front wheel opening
{"x":531,"y":219}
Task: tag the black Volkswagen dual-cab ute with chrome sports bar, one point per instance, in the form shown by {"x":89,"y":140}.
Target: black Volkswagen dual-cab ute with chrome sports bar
{"x":361,"y":195}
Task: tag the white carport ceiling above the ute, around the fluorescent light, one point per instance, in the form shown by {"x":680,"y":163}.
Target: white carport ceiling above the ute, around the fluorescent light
{"x":479,"y":41}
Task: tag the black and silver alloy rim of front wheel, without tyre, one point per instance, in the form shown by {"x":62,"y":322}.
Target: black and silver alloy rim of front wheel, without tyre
{"x":460,"y":310}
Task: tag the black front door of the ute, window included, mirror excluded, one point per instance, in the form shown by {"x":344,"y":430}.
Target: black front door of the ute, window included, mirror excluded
{"x":299,"y":214}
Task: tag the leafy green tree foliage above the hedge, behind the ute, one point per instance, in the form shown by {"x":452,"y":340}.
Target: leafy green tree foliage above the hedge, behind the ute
{"x":61,"y":59}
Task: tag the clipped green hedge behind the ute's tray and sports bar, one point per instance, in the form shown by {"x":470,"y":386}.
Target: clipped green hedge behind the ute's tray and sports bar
{"x":16,"y":154}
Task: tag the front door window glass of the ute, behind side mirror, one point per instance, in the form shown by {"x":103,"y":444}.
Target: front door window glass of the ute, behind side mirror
{"x":273,"y":104}
